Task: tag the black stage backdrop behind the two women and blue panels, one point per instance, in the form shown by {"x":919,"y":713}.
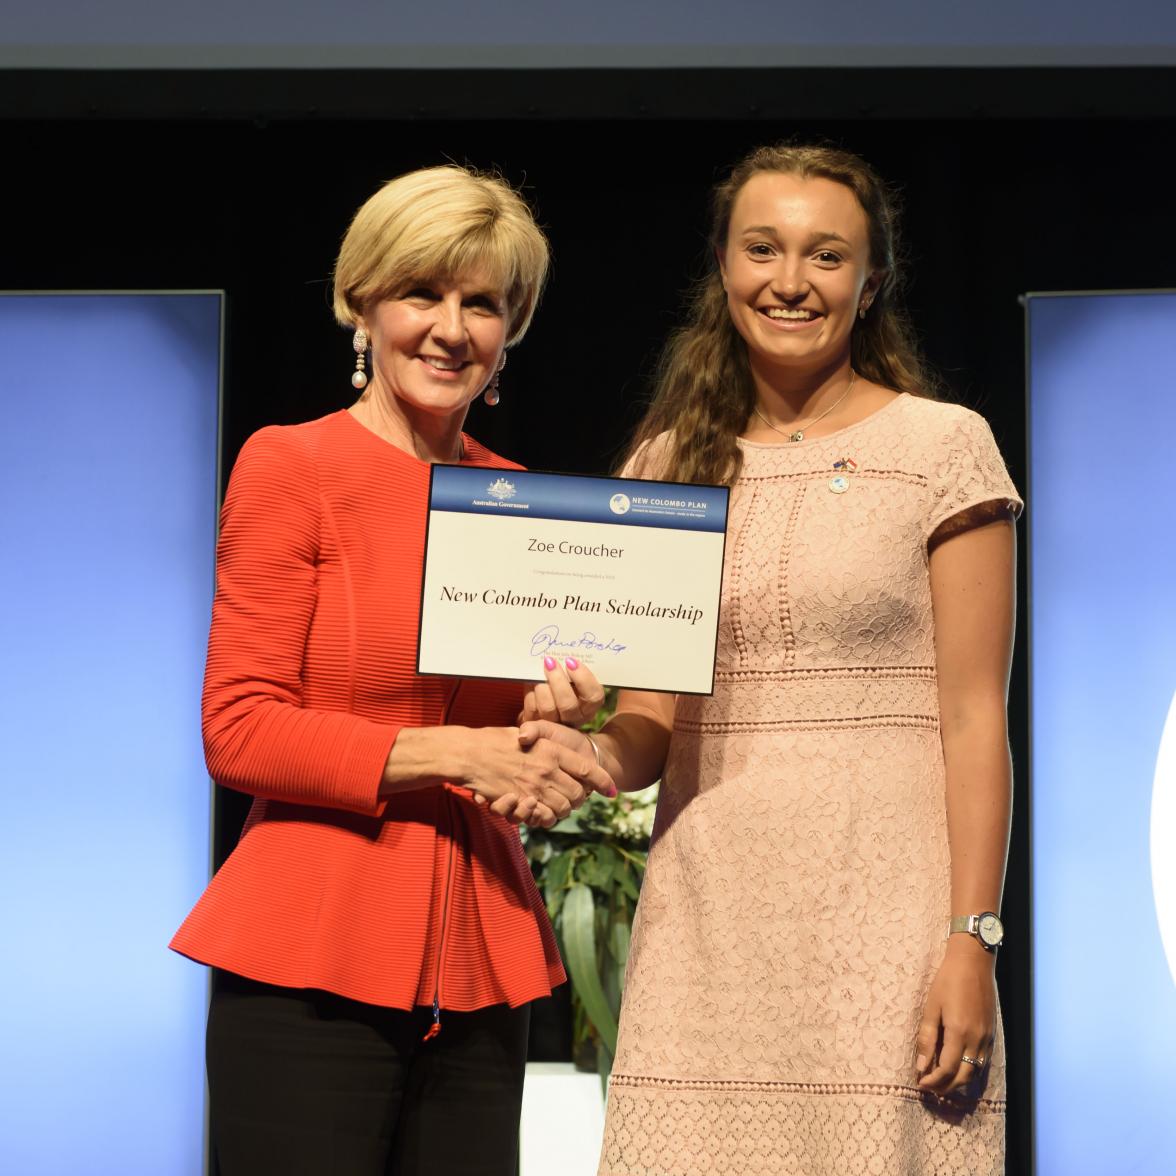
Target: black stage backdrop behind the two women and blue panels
{"x":1014,"y":181}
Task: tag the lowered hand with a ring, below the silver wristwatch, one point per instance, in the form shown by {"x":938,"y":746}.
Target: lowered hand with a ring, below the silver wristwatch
{"x":959,"y":1019}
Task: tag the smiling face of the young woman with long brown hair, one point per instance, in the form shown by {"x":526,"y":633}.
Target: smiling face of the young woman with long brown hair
{"x":797,"y":268}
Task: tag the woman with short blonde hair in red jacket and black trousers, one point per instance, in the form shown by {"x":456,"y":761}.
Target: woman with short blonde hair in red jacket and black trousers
{"x":378,"y":926}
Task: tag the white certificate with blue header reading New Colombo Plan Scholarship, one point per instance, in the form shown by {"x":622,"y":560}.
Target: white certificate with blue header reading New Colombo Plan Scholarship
{"x":623,"y":574}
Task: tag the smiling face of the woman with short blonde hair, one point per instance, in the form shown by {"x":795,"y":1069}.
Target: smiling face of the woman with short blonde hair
{"x":438,"y":344}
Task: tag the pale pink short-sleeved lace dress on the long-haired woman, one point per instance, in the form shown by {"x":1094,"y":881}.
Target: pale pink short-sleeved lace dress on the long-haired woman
{"x":797,"y":900}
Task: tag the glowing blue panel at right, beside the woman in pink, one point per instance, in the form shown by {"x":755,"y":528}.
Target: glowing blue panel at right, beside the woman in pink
{"x":1101,"y":510}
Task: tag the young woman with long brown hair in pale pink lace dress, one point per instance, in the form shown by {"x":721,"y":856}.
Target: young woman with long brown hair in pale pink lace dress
{"x":811,"y":985}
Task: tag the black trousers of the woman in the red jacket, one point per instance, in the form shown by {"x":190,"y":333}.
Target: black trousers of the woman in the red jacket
{"x":306,"y":1084}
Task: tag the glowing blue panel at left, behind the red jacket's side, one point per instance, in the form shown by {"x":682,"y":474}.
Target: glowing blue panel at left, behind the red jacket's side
{"x":109,"y":469}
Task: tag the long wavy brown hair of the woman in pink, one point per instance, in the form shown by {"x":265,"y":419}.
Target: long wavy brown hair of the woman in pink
{"x":704,"y":392}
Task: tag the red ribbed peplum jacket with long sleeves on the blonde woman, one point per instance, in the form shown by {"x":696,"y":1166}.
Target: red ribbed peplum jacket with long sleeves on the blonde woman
{"x":311,"y":677}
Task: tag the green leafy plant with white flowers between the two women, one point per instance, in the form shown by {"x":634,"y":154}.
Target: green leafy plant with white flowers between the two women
{"x":590,"y":870}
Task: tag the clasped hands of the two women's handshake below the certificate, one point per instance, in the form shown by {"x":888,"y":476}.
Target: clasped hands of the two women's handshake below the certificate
{"x":538,"y":783}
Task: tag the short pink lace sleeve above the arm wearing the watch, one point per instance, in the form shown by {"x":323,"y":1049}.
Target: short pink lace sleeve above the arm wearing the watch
{"x":970,"y":483}
